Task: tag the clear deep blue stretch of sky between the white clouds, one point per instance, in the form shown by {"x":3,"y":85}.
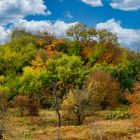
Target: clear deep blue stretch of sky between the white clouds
{"x":91,"y":15}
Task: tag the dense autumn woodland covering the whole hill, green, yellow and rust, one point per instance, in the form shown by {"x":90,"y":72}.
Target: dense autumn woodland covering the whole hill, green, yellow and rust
{"x":76,"y":76}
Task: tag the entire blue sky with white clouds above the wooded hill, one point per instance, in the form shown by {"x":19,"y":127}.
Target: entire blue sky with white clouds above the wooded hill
{"x":121,"y":17}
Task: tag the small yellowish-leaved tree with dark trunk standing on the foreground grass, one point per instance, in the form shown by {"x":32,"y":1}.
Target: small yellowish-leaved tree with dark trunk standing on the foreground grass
{"x":76,"y":105}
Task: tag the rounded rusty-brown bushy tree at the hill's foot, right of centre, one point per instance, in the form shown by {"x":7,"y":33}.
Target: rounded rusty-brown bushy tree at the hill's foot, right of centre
{"x":103,"y":90}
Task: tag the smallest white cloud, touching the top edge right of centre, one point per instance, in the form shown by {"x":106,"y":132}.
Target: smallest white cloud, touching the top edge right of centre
{"x":93,"y":3}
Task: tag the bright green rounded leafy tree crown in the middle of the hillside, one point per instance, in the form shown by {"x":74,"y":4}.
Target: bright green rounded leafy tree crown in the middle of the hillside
{"x":67,"y":69}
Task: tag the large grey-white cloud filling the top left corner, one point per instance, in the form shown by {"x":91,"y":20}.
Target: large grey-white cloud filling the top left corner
{"x":13,"y":10}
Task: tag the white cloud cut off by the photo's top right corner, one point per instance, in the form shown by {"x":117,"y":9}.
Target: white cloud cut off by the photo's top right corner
{"x":126,"y":5}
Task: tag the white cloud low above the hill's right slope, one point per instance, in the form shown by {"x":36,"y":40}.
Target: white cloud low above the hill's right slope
{"x":127,"y":37}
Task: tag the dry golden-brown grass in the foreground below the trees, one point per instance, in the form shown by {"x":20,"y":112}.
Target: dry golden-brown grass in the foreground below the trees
{"x":44,"y":128}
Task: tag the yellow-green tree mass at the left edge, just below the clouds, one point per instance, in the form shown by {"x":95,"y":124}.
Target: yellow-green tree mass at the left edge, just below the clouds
{"x":17,"y":53}
